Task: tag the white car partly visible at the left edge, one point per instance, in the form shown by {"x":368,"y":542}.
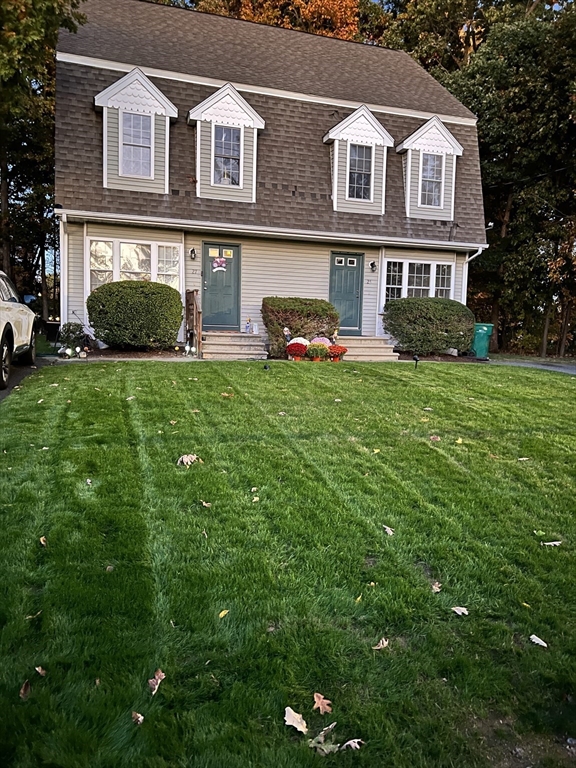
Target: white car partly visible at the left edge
{"x":17,"y":330}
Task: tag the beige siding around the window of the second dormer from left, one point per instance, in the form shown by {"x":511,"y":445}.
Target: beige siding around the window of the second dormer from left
{"x":244,"y":192}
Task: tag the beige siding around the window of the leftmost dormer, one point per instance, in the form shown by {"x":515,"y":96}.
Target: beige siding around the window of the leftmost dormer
{"x":115,"y":179}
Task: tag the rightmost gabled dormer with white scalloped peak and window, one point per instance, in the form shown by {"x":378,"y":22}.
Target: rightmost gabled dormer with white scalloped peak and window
{"x":429,"y":164}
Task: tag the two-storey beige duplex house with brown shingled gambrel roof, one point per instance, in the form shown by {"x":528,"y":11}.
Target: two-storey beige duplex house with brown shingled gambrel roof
{"x":242,"y":161}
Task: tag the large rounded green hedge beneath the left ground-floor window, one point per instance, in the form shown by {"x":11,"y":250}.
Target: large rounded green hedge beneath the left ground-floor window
{"x":135,"y":314}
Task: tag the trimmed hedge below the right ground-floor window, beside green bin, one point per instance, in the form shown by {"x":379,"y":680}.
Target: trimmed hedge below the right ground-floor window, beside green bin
{"x":429,"y":326}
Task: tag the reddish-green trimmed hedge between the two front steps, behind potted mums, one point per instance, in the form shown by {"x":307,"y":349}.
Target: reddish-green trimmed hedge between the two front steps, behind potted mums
{"x":304,"y":317}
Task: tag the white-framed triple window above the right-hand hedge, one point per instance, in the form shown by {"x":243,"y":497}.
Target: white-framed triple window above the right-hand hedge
{"x":418,"y":279}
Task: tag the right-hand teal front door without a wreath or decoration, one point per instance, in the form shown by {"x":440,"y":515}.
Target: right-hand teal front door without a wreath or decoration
{"x":346,"y":273}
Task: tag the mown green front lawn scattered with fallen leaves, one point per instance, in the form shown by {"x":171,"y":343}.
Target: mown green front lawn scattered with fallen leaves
{"x":303,"y":565}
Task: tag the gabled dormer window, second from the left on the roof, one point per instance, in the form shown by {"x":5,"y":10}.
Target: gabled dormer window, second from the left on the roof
{"x":226,"y":146}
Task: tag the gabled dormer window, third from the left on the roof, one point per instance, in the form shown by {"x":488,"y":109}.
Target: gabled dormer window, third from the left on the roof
{"x":358,"y":150}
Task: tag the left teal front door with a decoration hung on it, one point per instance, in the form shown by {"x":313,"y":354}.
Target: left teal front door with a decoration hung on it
{"x":221,"y":287}
